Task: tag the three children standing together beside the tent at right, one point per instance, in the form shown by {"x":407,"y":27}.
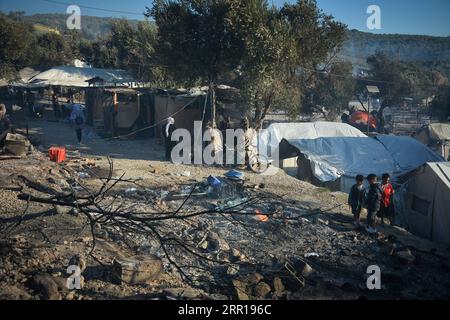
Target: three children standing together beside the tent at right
{"x":377,"y":199}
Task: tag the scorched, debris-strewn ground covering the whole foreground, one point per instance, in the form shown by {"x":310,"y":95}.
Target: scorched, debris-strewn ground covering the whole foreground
{"x":240,"y":255}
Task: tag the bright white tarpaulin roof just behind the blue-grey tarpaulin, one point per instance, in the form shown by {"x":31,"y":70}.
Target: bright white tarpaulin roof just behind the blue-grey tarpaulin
{"x":270,"y":138}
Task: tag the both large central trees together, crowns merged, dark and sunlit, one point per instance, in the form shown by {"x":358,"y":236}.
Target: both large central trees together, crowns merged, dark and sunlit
{"x":248,"y":43}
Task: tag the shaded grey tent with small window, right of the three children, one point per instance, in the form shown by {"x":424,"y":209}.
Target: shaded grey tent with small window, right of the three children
{"x":424,"y":202}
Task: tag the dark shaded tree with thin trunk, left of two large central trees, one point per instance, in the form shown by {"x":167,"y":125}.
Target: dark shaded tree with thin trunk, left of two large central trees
{"x":195,"y":41}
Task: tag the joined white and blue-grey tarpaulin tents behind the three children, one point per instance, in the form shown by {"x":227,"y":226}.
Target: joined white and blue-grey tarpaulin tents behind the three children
{"x":332,"y":154}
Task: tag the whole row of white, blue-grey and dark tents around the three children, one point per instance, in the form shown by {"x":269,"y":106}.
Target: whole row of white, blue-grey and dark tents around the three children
{"x":332,"y":154}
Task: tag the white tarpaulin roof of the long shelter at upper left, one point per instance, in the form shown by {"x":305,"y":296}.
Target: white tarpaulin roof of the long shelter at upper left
{"x":77,"y":77}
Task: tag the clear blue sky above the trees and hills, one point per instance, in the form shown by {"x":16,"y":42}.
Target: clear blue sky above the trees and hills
{"x":425,"y":17}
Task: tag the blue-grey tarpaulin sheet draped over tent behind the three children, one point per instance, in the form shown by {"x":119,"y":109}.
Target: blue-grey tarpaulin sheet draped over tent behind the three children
{"x":332,"y":158}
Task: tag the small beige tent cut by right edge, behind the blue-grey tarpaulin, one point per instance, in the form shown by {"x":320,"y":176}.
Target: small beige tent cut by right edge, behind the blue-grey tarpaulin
{"x":437,"y":137}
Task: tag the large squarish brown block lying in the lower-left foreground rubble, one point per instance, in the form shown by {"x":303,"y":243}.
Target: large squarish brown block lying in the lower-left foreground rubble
{"x":136,"y":270}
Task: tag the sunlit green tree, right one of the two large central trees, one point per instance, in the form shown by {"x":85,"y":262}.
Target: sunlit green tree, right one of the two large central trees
{"x":280,"y":43}
